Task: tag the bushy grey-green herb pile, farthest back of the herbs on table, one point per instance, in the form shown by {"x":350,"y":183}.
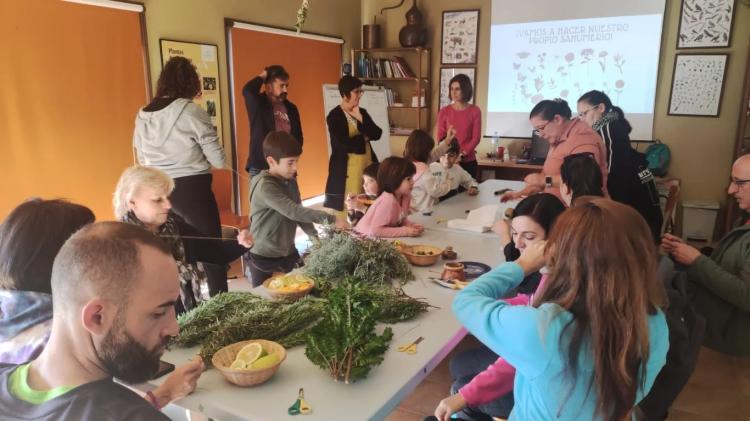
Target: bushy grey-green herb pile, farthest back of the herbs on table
{"x":339,"y":255}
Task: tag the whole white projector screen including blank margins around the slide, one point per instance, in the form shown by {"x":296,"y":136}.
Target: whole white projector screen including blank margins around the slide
{"x":545,"y":50}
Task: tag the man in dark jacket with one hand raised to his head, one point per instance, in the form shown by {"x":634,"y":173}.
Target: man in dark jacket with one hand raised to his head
{"x":268,"y":111}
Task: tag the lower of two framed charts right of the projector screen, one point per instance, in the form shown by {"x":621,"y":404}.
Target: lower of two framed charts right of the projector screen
{"x":697,"y":84}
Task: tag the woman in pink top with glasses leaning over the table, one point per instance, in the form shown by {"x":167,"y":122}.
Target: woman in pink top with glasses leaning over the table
{"x":552,"y":122}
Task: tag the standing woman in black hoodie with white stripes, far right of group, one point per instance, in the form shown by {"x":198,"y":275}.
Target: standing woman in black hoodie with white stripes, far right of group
{"x":630,"y":181}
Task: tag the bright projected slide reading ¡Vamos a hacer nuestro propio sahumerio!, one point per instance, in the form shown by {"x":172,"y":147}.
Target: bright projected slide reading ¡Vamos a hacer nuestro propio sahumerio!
{"x":533,"y":61}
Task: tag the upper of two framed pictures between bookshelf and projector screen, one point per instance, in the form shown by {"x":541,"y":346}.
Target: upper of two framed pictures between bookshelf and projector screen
{"x":460,"y":36}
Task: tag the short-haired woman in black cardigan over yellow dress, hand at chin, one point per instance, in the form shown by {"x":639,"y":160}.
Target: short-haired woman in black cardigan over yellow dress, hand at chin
{"x":351,"y":129}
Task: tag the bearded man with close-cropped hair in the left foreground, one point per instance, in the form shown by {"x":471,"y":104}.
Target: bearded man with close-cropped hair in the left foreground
{"x":114,"y":287}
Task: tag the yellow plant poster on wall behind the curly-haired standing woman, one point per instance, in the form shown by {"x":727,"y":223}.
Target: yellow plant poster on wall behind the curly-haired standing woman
{"x":205,"y":59}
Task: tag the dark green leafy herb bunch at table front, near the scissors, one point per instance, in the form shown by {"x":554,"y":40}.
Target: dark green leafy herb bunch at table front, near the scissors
{"x":344,"y":342}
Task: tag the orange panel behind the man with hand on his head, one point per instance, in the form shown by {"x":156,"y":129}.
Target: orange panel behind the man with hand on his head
{"x":310,"y":64}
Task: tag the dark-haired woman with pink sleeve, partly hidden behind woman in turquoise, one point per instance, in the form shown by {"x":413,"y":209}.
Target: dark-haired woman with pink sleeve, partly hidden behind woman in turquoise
{"x":483,"y":382}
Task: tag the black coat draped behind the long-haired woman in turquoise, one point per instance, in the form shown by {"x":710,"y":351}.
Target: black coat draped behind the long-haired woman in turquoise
{"x":686,"y":330}
